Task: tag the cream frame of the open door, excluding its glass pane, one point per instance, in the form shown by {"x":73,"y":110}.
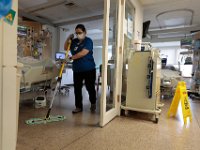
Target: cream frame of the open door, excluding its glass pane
{"x":107,"y":116}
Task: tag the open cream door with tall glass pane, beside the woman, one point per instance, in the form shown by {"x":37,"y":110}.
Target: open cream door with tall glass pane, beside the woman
{"x":110,"y":96}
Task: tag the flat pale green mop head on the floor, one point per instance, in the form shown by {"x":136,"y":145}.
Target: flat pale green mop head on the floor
{"x":33,"y":121}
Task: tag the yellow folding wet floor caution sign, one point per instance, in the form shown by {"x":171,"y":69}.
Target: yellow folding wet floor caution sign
{"x":181,"y":95}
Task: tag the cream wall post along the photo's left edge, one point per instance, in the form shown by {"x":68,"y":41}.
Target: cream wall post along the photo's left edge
{"x":8,"y":83}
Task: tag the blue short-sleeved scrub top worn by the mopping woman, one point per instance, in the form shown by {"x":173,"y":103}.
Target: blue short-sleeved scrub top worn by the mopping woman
{"x":85,"y":63}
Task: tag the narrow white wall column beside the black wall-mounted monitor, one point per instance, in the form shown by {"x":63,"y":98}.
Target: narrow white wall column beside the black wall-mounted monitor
{"x":138,"y":19}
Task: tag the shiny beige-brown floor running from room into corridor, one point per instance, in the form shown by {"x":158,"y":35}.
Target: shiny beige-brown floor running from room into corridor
{"x":81,"y":131}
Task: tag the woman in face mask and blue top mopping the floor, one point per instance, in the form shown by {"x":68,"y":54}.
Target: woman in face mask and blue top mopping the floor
{"x":83,"y":67}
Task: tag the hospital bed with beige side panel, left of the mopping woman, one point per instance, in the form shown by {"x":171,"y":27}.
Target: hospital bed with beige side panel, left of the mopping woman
{"x":37,"y":73}
